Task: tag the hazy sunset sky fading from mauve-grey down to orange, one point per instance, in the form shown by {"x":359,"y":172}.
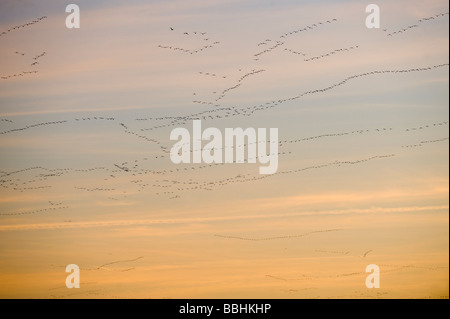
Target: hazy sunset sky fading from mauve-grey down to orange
{"x":86,"y":177}
